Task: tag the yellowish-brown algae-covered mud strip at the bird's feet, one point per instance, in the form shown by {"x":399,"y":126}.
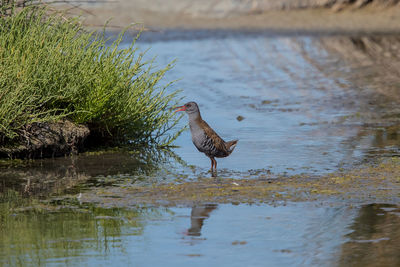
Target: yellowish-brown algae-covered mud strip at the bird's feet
{"x":379,"y":183}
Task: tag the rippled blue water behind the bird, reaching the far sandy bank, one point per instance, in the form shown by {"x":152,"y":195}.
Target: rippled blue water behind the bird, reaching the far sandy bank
{"x":304,"y":108}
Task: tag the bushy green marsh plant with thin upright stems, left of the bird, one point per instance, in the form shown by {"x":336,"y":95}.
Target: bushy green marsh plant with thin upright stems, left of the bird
{"x":52,"y":70}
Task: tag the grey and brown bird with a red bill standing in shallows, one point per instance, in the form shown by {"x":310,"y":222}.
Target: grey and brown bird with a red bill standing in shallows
{"x":204,"y":138}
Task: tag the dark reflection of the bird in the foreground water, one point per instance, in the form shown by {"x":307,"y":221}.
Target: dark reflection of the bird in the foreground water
{"x":198,"y":215}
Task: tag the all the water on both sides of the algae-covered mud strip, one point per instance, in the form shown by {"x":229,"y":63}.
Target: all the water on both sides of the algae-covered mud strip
{"x":311,"y":105}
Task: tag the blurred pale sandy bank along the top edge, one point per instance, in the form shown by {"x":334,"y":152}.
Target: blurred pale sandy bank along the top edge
{"x":283,"y":16}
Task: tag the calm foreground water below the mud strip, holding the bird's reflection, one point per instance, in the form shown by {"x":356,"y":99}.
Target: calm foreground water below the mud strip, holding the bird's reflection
{"x":292,"y":235}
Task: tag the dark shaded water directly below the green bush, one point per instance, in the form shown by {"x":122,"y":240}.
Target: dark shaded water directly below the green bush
{"x":75,"y":173}
